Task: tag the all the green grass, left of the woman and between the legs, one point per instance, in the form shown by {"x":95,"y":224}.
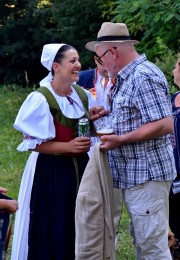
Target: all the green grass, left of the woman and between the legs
{"x":12,"y":162}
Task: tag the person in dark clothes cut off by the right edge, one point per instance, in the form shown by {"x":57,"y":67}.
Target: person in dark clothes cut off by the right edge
{"x":174,"y":198}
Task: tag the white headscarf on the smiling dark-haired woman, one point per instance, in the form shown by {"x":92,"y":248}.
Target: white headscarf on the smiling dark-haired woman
{"x":47,"y":58}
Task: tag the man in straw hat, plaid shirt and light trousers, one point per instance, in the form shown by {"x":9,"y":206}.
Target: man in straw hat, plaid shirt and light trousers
{"x":140,"y":154}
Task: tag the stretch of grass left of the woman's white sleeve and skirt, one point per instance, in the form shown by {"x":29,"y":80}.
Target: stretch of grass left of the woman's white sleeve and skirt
{"x":11,"y":161}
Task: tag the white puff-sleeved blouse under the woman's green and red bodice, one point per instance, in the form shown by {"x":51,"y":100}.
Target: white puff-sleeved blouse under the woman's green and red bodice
{"x":35,"y":120}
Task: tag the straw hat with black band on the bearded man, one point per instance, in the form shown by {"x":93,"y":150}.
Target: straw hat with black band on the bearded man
{"x":111,"y":32}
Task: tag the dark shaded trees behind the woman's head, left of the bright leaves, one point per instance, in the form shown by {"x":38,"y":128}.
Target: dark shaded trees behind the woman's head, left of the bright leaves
{"x":25,"y":26}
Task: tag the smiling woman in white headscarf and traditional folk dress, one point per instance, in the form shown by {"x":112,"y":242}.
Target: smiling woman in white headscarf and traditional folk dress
{"x":48,"y":120}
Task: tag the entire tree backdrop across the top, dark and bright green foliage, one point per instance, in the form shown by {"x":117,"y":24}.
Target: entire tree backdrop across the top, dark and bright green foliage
{"x":26,"y":25}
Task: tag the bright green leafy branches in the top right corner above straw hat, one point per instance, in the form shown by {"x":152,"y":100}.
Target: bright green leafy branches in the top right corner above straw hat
{"x":150,"y":21}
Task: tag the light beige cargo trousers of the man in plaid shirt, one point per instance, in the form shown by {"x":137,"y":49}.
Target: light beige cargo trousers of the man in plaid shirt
{"x":148,"y":208}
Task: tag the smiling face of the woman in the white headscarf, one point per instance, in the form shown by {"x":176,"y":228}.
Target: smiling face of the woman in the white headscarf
{"x":68,"y":70}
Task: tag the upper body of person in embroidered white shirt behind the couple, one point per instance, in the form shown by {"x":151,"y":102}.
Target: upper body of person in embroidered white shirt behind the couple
{"x":97,"y":82}
